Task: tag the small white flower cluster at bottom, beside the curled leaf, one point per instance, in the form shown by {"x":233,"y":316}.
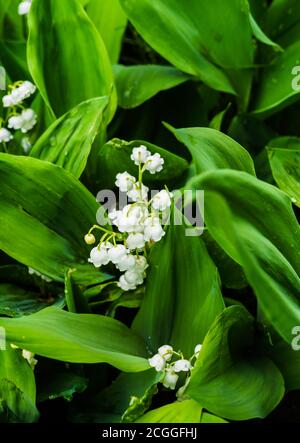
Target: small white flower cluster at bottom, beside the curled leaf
{"x":171,"y":363}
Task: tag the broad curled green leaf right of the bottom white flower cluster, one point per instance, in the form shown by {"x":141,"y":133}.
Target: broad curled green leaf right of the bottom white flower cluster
{"x":231,"y":379}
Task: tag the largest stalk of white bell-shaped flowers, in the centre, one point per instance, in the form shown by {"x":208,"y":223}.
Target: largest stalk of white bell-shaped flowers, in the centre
{"x":138,"y":223}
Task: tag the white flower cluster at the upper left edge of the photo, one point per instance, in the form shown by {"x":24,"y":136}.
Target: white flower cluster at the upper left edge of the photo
{"x":18,"y":117}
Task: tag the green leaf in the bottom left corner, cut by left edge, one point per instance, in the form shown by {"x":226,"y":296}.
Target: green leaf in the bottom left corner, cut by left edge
{"x":17,"y":388}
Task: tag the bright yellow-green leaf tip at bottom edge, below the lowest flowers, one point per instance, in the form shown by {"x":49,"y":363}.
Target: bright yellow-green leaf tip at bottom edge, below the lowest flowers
{"x":187,"y":411}
